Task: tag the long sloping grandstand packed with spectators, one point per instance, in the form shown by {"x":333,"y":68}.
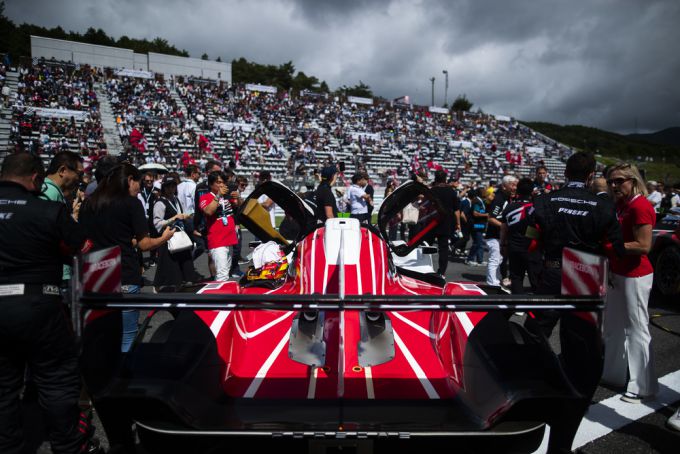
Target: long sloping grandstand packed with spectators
{"x":53,"y":106}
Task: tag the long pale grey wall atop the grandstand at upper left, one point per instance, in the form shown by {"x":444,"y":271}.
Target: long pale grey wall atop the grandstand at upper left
{"x":114,"y":57}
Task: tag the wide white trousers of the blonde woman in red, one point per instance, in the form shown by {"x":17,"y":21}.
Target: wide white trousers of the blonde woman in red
{"x":627,"y":341}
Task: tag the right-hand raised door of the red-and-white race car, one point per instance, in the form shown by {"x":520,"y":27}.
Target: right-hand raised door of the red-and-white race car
{"x":414,"y":204}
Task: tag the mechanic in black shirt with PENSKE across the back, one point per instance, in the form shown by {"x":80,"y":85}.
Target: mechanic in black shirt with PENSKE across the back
{"x":572,"y":217}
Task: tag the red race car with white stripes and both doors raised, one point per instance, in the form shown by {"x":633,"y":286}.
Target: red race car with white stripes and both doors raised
{"x":343,"y":351}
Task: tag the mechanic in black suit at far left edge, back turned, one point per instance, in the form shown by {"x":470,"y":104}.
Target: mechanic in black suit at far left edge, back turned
{"x":36,"y":238}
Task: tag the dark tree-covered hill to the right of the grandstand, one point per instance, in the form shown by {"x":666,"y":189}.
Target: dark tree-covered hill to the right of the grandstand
{"x":659,"y":161}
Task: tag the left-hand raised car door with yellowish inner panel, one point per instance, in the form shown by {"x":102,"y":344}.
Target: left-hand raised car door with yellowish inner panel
{"x":298,"y":218}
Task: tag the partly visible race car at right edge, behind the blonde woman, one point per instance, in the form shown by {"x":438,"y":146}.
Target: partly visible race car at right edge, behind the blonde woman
{"x":665,"y":253}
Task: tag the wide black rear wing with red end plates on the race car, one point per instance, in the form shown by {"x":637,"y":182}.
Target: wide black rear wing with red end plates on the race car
{"x":96,"y":285}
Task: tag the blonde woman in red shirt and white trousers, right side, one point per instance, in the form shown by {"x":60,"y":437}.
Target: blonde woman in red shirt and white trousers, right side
{"x":626,"y":318}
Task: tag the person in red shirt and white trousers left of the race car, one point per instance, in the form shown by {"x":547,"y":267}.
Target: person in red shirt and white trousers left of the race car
{"x":221,"y":226}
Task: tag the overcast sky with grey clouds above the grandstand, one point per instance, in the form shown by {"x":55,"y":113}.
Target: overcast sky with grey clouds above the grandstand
{"x":610,"y":64}
